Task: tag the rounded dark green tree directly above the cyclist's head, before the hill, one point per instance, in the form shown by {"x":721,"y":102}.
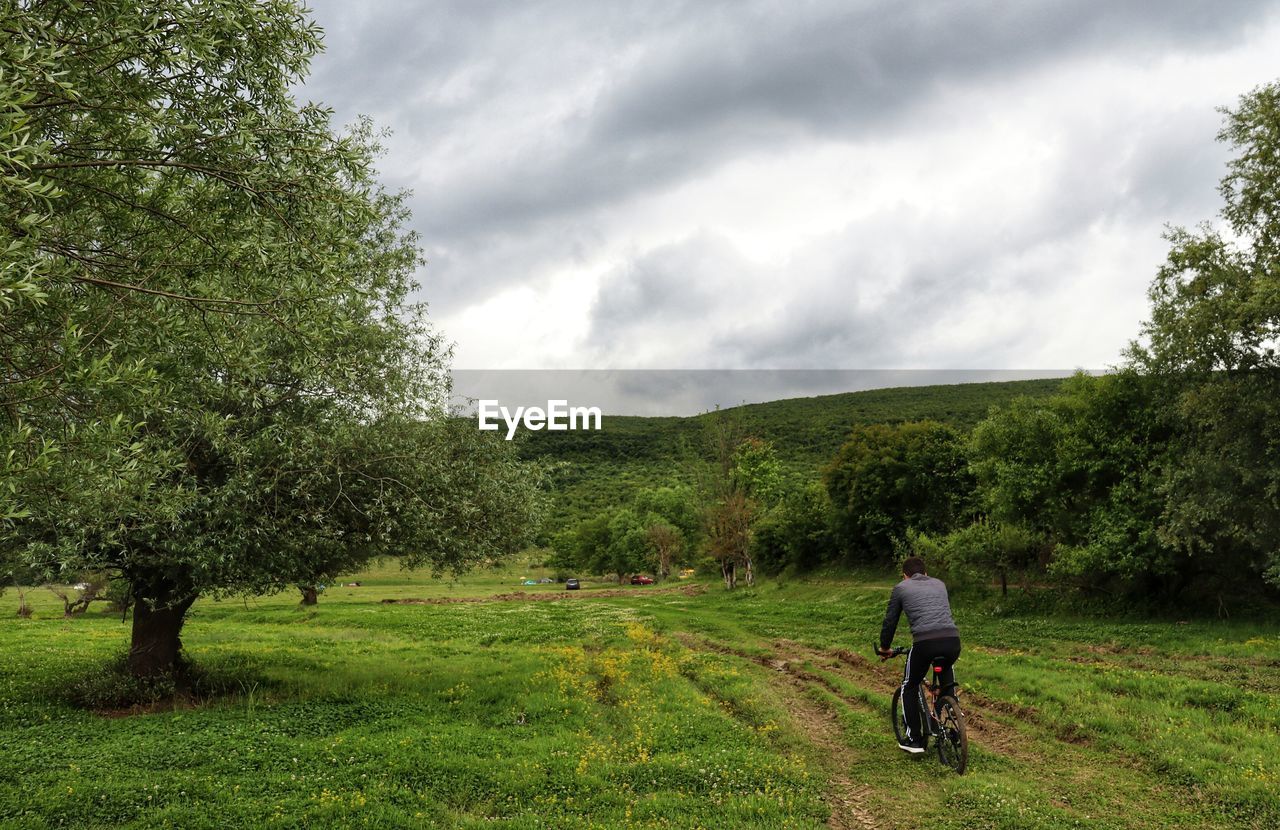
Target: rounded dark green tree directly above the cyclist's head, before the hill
{"x":890,"y":480}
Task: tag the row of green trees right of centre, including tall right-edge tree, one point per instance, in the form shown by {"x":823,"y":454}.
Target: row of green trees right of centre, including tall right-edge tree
{"x":1159,"y":481}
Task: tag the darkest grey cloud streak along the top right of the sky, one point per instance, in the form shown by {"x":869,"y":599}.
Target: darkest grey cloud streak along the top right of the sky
{"x":845,"y":67}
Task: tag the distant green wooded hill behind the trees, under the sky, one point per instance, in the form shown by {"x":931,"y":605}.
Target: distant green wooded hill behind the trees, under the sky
{"x":601,"y":469}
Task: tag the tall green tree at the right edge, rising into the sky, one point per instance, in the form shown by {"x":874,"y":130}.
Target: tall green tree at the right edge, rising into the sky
{"x":1213,"y":339}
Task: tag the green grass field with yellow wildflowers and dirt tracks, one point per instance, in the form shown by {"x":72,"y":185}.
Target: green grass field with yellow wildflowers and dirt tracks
{"x":650,"y":709}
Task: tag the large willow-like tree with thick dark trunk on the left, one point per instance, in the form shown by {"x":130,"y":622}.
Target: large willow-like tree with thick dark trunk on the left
{"x":216,"y":376}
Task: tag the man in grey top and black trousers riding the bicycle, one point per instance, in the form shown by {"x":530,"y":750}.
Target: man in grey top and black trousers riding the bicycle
{"x":934,"y":633}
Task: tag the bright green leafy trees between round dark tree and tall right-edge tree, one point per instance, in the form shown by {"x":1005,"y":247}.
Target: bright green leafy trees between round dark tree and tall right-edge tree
{"x":1081,"y":471}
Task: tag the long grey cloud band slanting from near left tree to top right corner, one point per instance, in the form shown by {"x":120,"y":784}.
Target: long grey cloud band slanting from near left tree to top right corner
{"x":726,"y":80}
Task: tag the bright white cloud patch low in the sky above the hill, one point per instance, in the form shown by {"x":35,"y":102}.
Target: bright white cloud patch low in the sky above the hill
{"x":857,"y":299}
